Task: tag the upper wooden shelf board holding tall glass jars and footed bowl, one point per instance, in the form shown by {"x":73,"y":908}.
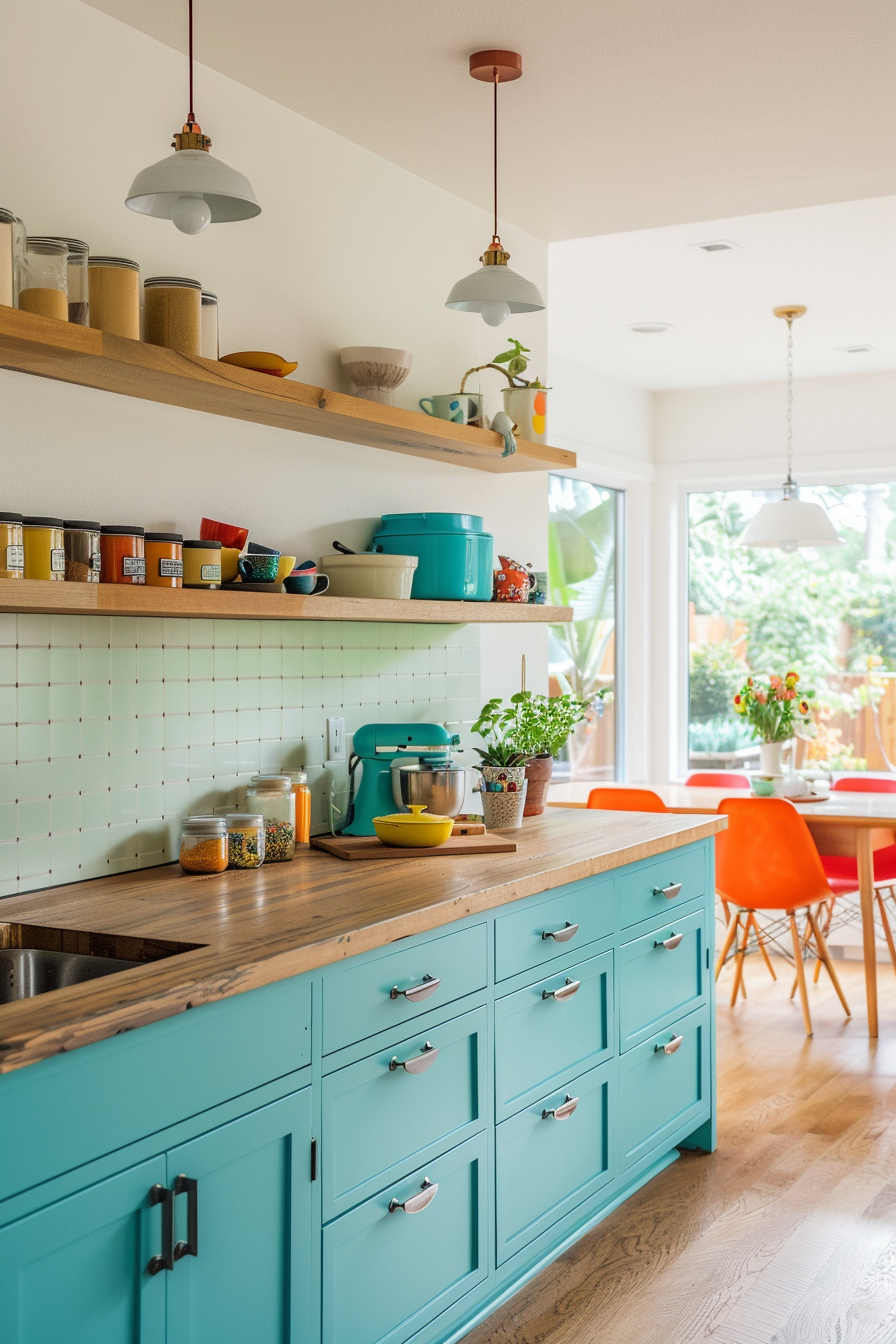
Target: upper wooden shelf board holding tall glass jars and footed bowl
{"x":95,"y":360}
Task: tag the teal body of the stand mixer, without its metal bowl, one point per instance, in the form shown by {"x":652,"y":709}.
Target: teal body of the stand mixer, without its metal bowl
{"x":375,"y":747}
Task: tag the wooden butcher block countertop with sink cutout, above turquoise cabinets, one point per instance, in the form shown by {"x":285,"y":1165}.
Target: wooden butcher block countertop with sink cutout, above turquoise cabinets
{"x":251,"y":929}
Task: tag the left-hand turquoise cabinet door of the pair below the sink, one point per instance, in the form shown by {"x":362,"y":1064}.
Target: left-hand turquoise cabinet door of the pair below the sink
{"x":76,"y":1272}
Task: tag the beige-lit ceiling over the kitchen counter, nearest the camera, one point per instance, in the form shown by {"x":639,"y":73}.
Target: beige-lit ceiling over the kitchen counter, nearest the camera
{"x":631,"y":115}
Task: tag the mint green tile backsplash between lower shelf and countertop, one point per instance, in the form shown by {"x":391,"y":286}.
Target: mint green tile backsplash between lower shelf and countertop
{"x":114,"y":729}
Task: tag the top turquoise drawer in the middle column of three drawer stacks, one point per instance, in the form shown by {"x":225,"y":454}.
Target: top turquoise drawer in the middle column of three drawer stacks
{"x":539,"y":933}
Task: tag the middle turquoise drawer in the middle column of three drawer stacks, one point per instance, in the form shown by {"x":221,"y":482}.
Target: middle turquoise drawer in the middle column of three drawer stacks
{"x":541,"y":1041}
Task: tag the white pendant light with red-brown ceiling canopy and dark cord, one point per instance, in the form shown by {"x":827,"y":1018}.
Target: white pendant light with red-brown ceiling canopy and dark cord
{"x":495,"y":291}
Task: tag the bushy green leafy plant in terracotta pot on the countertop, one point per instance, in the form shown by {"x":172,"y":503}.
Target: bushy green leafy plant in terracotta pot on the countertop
{"x":537,"y":726}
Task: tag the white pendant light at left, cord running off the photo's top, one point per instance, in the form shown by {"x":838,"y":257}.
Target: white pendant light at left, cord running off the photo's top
{"x":190,"y":187}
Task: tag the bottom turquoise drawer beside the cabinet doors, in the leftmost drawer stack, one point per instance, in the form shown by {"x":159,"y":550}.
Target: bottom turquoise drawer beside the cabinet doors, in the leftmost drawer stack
{"x":386,"y":1275}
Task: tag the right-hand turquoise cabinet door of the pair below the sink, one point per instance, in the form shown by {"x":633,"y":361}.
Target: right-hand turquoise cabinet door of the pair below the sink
{"x":249,"y":1275}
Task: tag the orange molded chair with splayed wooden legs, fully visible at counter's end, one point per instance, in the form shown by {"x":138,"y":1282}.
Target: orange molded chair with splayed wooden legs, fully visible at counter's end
{"x":766,"y":861}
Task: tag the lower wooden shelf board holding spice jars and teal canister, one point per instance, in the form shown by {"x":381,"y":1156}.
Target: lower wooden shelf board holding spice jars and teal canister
{"x":48,"y":599}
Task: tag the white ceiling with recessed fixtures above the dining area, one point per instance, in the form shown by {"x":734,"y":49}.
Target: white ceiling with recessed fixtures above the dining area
{"x":840,"y":261}
